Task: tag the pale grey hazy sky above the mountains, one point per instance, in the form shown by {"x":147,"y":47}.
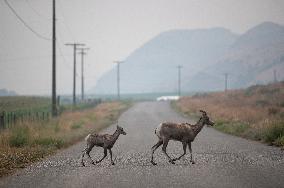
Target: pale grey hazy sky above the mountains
{"x":111,"y":28}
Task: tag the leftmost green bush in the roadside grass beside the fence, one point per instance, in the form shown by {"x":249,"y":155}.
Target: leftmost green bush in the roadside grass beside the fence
{"x":19,"y":137}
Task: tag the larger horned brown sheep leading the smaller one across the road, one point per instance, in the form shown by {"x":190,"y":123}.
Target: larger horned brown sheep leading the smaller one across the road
{"x":183,"y":132}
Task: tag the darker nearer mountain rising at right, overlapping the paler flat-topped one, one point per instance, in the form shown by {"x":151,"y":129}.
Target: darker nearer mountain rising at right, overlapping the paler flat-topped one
{"x":252,"y":60}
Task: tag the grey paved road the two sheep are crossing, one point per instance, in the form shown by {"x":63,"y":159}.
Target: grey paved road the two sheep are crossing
{"x":221,"y":160}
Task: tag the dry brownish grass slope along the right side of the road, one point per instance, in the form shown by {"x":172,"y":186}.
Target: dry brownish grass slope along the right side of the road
{"x":256,"y":112}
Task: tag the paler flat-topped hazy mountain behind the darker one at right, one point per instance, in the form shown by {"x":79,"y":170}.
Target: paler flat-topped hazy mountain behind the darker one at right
{"x":152,"y":67}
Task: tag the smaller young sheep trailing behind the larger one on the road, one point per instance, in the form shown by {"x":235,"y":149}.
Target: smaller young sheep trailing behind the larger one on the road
{"x":105,"y":141}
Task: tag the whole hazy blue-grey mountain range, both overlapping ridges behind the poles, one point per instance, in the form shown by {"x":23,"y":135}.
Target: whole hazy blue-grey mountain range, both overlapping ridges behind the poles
{"x":205,"y":54}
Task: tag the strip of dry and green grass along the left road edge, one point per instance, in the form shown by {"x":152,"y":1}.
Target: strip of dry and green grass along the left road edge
{"x":28,"y":141}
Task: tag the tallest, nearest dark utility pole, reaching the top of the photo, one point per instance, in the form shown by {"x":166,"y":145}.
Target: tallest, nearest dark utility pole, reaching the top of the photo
{"x":53,"y":97}
